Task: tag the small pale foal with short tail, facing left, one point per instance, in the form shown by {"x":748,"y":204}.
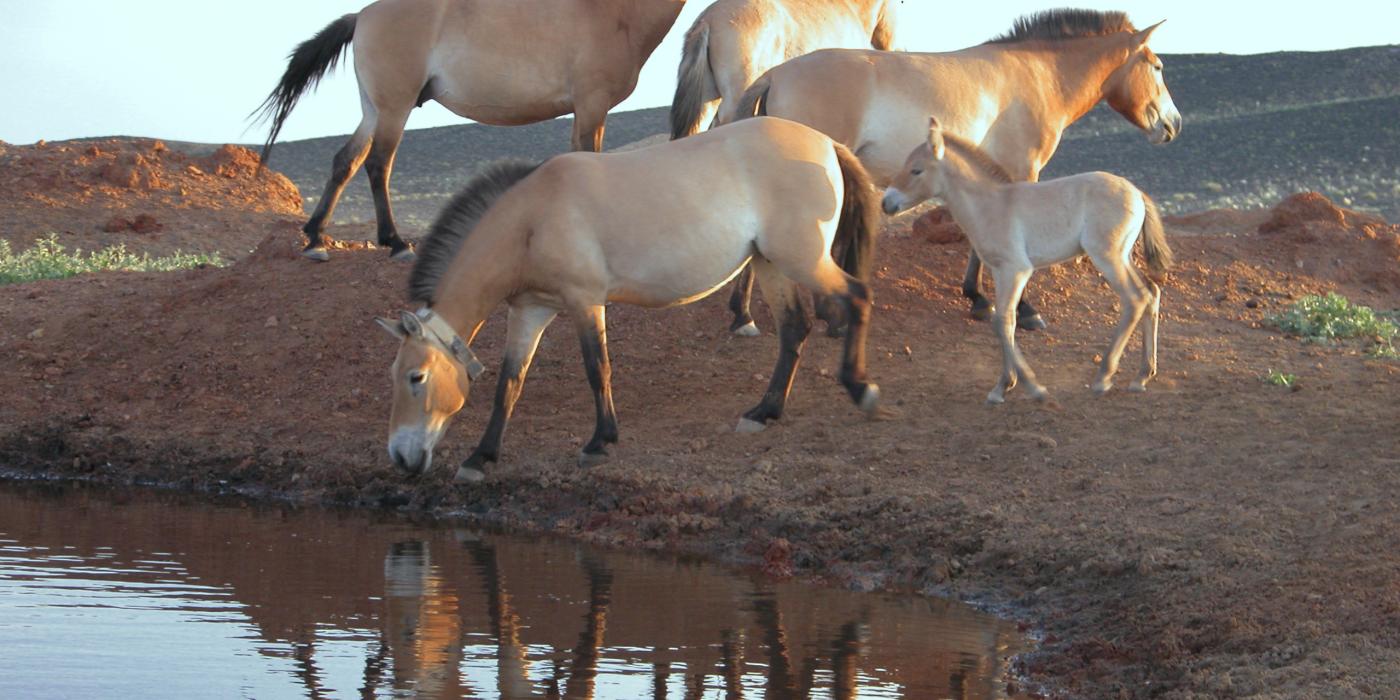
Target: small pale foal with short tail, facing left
{"x":1018,"y":227}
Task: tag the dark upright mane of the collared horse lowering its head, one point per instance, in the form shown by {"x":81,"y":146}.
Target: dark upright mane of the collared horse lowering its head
{"x":457,"y":220}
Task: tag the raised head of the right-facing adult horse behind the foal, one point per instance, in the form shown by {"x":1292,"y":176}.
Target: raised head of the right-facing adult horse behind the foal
{"x":1137,"y":92}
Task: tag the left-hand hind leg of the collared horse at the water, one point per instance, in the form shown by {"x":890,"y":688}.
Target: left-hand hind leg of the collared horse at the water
{"x":794,"y":327}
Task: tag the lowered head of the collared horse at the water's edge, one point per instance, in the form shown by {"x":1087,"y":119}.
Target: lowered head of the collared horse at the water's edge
{"x":433,"y":377}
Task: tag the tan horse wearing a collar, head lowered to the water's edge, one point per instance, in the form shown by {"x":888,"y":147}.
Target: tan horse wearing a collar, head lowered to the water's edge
{"x":653,"y":227}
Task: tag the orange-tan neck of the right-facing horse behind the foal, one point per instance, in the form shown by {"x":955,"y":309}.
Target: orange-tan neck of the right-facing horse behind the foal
{"x":1081,"y":66}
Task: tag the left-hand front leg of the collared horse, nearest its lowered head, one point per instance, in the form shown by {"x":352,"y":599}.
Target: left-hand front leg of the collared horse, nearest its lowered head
{"x":524,"y":325}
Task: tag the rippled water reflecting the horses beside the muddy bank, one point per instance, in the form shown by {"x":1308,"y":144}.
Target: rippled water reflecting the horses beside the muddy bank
{"x":146,"y":596}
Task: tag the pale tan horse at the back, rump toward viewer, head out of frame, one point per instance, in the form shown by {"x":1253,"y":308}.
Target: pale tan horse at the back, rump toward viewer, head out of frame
{"x":734,"y":41}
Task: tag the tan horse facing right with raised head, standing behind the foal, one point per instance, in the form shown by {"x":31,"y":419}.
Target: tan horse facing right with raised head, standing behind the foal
{"x":1014,"y":96}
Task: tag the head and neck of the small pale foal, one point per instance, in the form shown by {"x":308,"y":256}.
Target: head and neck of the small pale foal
{"x":927,"y":170}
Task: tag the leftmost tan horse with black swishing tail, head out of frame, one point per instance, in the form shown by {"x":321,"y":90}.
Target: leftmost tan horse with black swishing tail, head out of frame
{"x":499,"y":62}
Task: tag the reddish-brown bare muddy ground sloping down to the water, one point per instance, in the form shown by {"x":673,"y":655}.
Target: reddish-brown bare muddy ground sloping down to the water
{"x":1216,"y":537}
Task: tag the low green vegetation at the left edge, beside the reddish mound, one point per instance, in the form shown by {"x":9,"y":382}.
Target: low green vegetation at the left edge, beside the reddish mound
{"x":47,"y":260}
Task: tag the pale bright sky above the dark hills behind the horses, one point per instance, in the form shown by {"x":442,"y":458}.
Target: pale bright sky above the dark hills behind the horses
{"x":194,"y":71}
